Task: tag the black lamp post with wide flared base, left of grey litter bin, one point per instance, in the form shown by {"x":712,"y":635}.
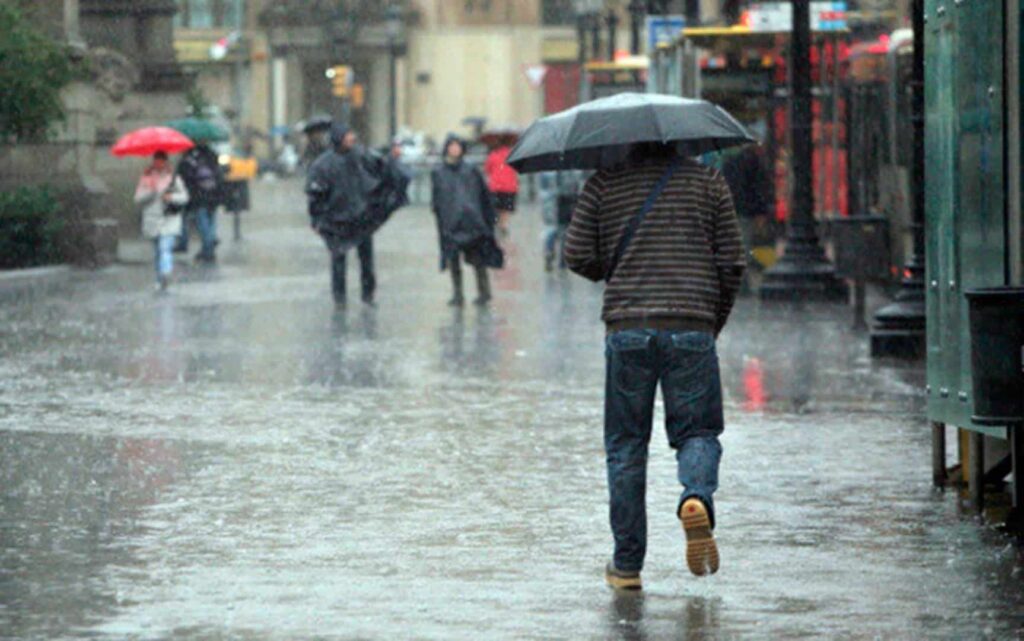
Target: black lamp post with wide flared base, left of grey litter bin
{"x":803,"y":273}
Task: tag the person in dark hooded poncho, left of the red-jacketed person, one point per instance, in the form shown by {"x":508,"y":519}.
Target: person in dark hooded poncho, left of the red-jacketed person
{"x":466,"y":219}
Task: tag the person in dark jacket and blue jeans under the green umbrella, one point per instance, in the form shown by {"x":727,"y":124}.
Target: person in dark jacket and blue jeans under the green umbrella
{"x":202,"y":175}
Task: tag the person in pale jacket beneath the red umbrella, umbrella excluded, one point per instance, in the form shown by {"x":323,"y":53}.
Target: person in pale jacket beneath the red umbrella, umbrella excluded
{"x":162,"y":196}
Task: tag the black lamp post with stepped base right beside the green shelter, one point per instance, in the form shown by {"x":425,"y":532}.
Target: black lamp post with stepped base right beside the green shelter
{"x":900,"y":327}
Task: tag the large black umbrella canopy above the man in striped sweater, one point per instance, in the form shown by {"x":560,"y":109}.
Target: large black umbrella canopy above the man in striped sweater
{"x":601,"y":134}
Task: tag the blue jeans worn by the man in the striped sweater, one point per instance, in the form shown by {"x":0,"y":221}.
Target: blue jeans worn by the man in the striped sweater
{"x":687,"y":365}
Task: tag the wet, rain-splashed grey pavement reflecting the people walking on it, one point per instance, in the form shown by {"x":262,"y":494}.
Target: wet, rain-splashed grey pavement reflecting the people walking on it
{"x":237,"y":460}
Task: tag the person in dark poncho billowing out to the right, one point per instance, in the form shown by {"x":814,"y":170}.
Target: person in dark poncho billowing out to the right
{"x":348,"y":188}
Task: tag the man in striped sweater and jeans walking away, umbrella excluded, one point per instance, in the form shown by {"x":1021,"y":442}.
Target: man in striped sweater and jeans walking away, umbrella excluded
{"x":664,"y":236}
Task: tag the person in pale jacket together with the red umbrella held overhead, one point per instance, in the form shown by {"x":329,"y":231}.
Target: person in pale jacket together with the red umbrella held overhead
{"x":161,"y":194}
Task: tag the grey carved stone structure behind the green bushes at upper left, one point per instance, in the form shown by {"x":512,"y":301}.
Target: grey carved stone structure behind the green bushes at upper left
{"x":135,"y":81}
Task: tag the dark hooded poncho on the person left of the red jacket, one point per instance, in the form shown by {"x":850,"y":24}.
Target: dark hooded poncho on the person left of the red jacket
{"x":465,"y":213}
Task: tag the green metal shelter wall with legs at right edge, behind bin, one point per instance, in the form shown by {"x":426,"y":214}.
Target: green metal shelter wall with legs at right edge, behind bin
{"x":973,"y":218}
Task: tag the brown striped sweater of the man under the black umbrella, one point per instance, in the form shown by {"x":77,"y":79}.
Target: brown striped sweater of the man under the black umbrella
{"x":686,"y":264}
